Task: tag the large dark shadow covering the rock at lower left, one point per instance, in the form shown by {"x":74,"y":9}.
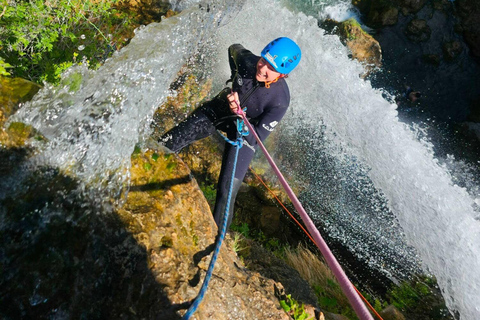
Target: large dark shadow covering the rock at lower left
{"x":63,"y":257}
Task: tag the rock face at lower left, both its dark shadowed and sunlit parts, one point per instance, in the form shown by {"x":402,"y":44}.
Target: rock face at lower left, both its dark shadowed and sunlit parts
{"x":144,"y":260}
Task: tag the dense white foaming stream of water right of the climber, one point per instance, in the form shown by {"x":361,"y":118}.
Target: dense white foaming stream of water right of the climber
{"x":436,"y":215}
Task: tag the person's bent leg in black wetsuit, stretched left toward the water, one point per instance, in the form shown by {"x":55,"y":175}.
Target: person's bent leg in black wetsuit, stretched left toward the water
{"x":197,"y":126}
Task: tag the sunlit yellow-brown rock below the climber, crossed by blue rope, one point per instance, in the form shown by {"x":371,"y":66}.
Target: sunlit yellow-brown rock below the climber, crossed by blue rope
{"x":167,"y":214}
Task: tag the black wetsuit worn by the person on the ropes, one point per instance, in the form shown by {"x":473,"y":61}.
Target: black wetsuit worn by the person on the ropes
{"x":265,"y":108}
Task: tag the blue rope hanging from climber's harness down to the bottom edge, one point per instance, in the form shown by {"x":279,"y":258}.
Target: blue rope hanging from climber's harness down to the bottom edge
{"x":238,"y":144}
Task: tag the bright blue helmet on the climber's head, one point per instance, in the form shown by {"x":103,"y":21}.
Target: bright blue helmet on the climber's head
{"x":283,"y":54}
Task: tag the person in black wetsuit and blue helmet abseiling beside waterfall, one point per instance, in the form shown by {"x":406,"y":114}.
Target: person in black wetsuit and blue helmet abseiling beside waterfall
{"x":258,"y":84}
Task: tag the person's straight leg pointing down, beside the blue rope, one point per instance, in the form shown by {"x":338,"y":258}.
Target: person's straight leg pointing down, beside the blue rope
{"x":245,"y":156}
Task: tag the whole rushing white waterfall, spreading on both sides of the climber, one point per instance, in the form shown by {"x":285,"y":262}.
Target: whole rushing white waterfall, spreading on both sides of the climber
{"x":409,"y":199}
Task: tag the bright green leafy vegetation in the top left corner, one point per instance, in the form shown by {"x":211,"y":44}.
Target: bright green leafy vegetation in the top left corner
{"x":40,"y":39}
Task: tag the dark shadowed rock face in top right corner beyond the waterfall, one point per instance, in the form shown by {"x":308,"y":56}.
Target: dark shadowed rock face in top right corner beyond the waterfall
{"x":428,"y":50}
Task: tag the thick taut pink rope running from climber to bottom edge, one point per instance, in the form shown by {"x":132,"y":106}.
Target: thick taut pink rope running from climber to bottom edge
{"x":347,"y":287}
